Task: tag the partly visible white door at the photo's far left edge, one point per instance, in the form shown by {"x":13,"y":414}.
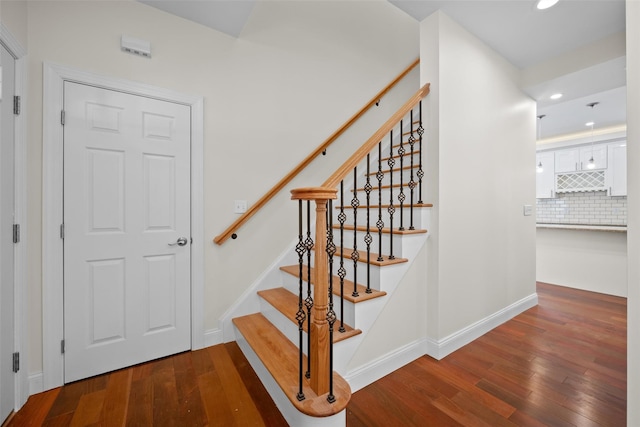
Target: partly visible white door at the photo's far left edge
{"x":7,"y":200}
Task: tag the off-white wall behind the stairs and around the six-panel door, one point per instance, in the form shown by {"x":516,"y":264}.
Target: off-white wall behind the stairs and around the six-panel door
{"x":296,"y":73}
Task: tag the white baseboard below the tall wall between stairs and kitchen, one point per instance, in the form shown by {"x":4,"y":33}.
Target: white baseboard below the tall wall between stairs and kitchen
{"x":441,"y":348}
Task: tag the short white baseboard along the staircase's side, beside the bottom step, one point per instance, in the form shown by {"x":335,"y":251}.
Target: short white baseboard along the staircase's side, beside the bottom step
{"x":373,"y":371}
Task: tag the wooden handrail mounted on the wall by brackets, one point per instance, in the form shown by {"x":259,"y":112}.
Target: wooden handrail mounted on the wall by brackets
{"x":220,"y":239}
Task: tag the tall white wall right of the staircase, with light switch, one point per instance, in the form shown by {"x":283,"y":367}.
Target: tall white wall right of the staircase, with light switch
{"x":481,"y":139}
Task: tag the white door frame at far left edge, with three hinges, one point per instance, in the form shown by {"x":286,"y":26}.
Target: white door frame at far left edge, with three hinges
{"x":21,"y":325}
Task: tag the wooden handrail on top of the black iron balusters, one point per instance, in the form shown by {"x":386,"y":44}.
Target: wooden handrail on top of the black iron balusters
{"x":366,"y":148}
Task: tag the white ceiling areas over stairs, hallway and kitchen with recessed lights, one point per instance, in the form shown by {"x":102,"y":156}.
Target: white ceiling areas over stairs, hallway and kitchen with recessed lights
{"x":518,"y":31}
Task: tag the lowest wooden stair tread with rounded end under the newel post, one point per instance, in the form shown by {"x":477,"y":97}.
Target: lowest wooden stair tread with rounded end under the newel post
{"x":280,"y":358}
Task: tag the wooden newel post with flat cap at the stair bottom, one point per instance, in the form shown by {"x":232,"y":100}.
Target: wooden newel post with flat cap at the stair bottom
{"x":319,"y":334}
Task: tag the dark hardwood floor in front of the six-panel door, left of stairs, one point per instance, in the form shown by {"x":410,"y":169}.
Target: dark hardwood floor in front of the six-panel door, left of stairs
{"x":210,"y":387}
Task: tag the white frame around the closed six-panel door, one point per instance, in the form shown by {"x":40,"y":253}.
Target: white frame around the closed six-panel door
{"x":52,"y":207}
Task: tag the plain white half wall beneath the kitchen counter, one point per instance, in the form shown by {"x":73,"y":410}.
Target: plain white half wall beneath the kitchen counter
{"x":591,"y":260}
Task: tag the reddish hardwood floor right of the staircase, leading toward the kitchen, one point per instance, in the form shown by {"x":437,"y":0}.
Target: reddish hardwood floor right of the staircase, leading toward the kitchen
{"x":562,"y":363}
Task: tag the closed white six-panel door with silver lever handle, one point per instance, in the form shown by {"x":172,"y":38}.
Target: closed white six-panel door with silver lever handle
{"x":126,"y":229}
